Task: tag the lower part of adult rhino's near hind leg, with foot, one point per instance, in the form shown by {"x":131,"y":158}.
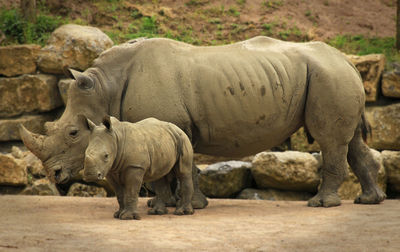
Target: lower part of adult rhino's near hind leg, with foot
{"x":333,"y":174}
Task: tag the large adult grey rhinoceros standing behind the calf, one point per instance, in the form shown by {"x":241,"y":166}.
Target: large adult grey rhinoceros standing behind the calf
{"x":231,"y":100}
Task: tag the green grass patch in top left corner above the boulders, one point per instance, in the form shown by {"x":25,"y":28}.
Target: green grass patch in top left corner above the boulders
{"x":19,"y":31}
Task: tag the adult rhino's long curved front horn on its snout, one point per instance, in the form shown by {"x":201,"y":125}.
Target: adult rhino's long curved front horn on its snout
{"x":34,"y":142}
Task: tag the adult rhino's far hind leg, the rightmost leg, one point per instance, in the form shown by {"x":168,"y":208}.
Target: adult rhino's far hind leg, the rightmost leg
{"x":366,"y":168}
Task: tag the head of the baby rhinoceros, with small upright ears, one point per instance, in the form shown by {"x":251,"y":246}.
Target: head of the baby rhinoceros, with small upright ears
{"x":101,"y":151}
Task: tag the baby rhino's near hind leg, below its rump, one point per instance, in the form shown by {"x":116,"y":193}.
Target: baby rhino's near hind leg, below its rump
{"x":183,"y":170}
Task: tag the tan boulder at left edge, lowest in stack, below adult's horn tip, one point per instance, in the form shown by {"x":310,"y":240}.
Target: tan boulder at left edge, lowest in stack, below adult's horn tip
{"x":13,"y":171}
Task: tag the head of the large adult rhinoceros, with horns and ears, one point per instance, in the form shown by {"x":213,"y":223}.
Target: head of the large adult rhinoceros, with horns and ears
{"x":62,"y":148}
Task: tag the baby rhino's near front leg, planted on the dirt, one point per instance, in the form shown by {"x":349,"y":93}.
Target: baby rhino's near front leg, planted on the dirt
{"x":133,"y":182}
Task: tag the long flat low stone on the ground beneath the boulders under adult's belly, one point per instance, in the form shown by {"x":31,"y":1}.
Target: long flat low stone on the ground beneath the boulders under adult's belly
{"x":273,"y":194}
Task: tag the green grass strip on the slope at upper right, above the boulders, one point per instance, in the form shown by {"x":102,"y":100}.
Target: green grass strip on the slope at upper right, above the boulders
{"x":361,"y":45}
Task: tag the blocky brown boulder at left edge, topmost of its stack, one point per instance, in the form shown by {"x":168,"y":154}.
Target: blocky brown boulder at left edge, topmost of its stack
{"x":18,"y":59}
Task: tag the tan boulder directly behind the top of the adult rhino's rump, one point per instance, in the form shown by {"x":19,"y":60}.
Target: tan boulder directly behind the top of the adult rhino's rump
{"x":370,"y":67}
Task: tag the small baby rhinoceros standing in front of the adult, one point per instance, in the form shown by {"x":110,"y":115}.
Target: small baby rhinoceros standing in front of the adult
{"x":128,"y":154}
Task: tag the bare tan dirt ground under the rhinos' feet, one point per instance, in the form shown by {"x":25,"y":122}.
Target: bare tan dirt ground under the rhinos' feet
{"x":37,"y":223}
